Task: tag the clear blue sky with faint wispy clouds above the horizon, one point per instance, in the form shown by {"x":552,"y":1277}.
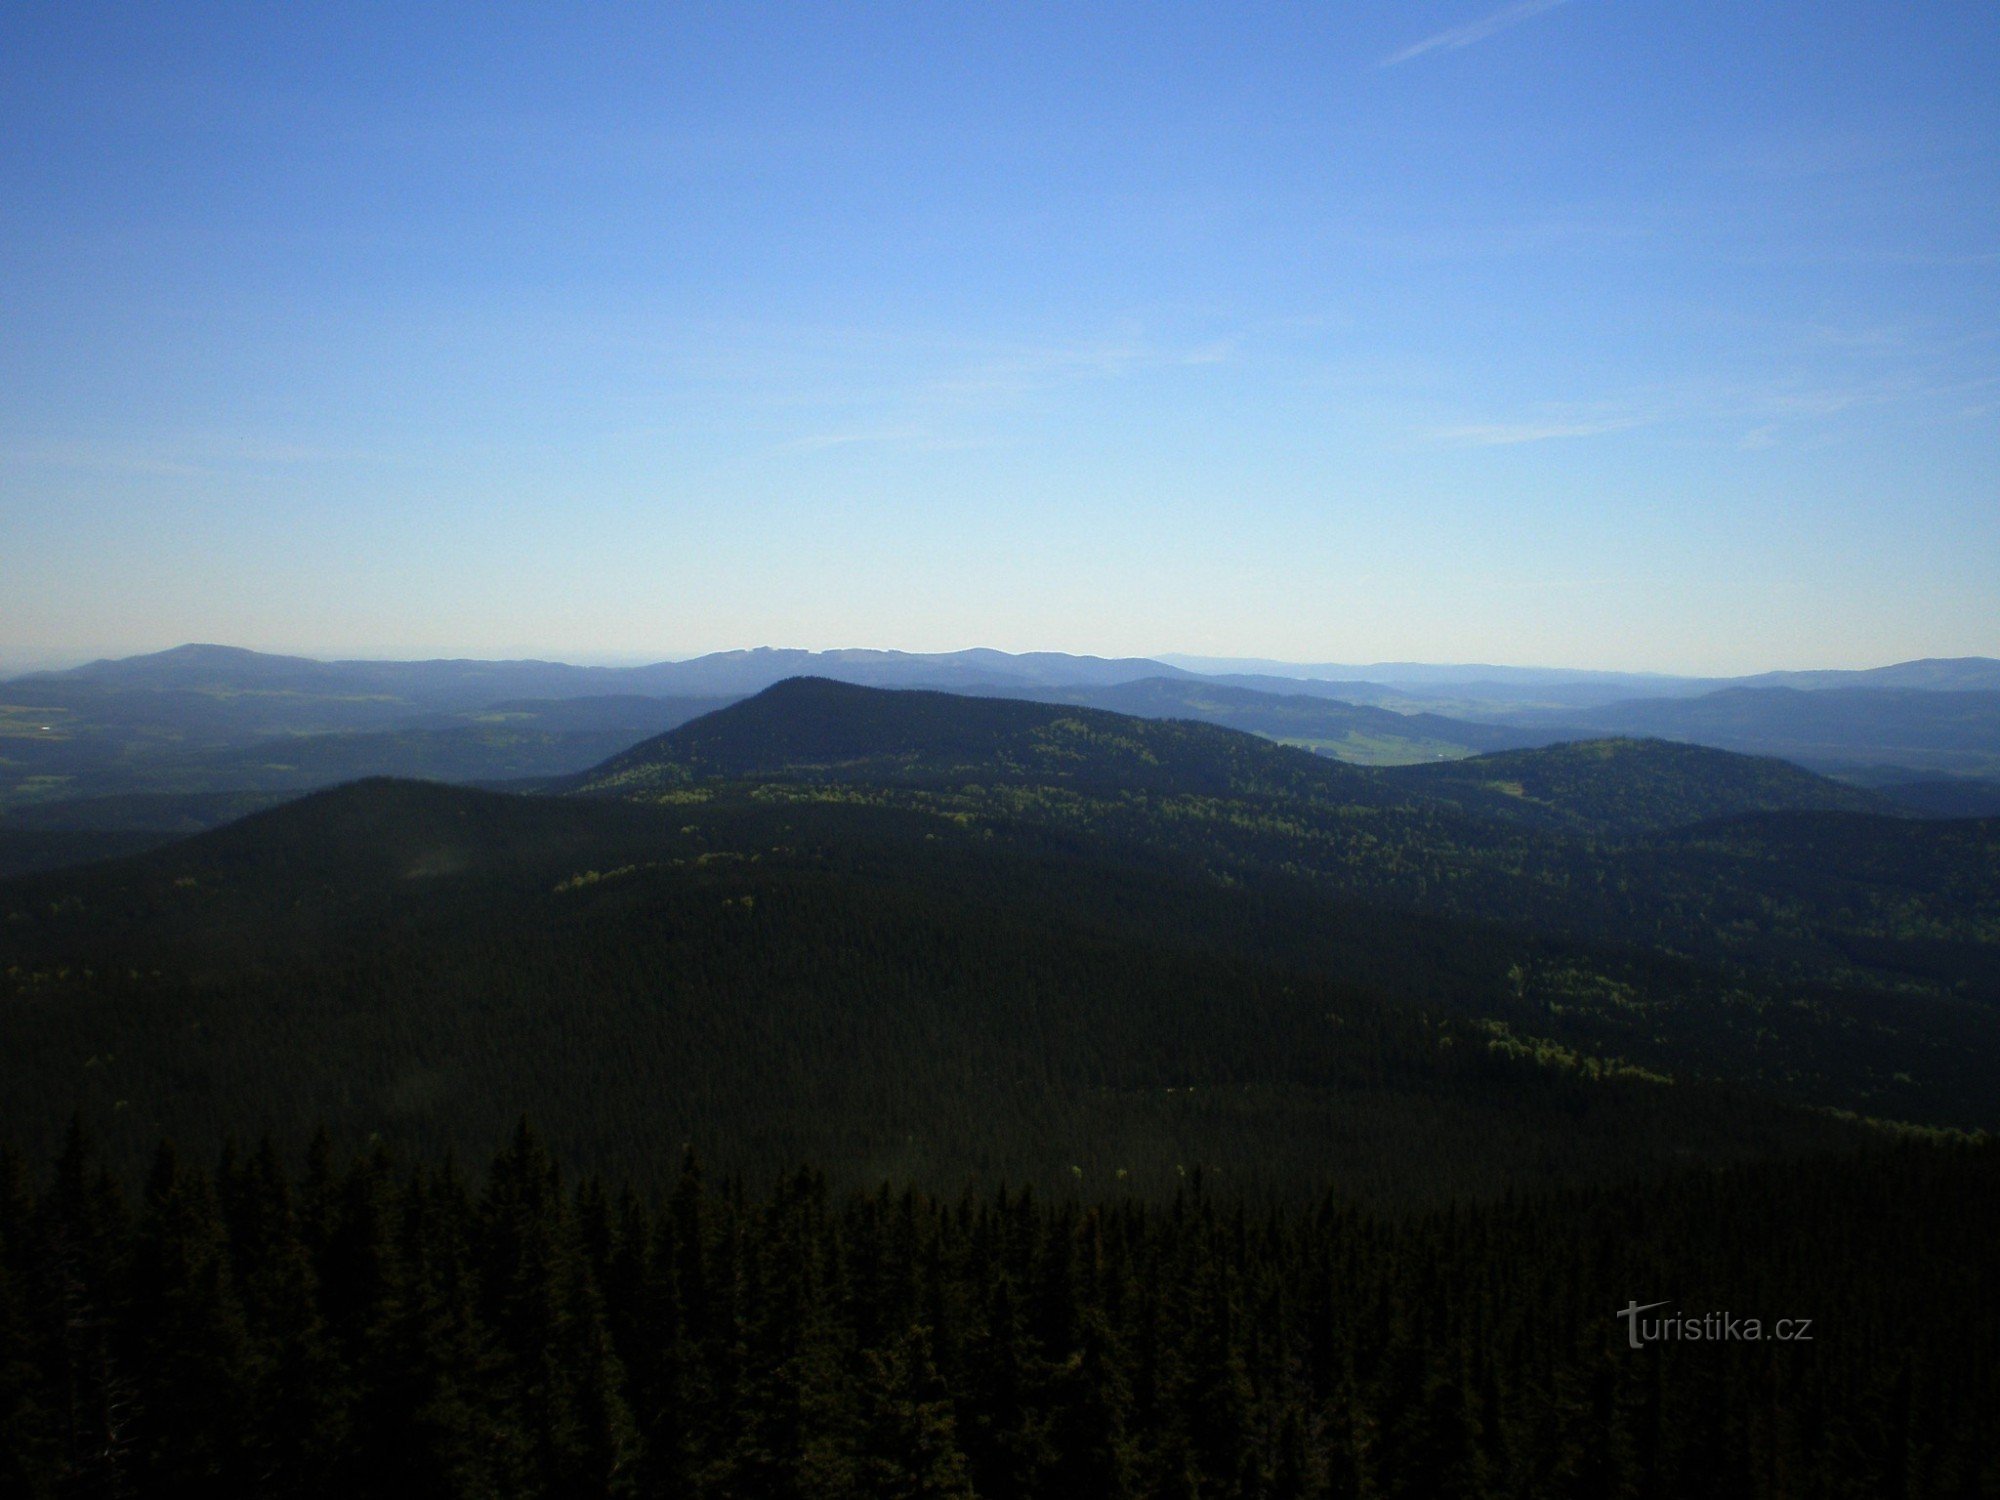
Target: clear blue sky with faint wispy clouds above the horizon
{"x":1581,"y":333}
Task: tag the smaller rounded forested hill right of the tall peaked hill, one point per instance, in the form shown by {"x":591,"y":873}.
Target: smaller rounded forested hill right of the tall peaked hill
{"x":1629,"y":787}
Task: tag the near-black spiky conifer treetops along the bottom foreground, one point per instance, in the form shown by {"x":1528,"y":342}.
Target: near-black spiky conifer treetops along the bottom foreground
{"x":369,"y":1325}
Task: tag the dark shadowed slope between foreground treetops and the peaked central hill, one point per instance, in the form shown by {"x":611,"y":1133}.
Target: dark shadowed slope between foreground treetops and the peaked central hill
{"x":879,"y":989}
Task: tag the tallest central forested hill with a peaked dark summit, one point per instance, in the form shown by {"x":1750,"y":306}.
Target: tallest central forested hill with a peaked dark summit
{"x":835,"y":731}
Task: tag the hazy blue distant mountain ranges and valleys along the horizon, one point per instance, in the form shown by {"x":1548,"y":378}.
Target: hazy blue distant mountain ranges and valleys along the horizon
{"x":205,"y":721}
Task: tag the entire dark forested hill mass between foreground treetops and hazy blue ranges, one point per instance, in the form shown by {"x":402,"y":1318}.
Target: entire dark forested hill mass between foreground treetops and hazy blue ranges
{"x":919,"y":935}
